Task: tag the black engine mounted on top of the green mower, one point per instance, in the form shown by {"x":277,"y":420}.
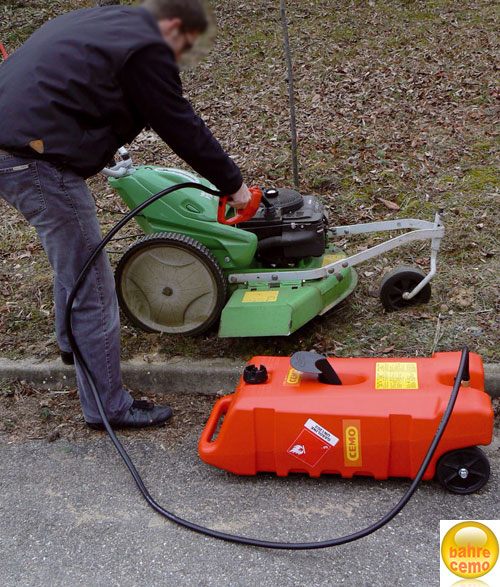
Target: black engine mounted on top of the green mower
{"x":289,"y":227}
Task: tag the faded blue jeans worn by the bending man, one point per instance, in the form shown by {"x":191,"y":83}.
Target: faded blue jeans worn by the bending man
{"x":59,"y":205}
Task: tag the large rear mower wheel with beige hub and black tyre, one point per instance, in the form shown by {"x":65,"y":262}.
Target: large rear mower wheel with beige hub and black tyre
{"x":171,"y":283}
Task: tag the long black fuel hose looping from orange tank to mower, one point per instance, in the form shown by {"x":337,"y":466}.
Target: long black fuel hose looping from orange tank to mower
{"x":462,"y":370}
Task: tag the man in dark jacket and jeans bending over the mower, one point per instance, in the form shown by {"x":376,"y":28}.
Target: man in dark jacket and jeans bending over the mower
{"x":84,"y":84}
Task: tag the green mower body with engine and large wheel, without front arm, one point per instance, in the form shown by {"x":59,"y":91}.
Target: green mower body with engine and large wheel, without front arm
{"x":178,"y":278}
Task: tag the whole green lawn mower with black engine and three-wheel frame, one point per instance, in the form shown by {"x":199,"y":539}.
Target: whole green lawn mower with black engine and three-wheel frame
{"x":266,"y":272}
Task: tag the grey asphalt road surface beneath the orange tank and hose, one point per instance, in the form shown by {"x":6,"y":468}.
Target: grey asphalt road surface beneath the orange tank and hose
{"x":71,"y":515}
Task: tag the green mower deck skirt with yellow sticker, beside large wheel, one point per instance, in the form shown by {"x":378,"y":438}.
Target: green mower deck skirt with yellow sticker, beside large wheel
{"x":291,"y":305}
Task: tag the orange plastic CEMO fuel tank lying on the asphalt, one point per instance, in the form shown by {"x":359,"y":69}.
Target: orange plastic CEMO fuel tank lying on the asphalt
{"x":379,"y":422}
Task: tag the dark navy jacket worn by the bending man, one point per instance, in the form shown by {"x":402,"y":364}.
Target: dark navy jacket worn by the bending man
{"x":88,"y":82}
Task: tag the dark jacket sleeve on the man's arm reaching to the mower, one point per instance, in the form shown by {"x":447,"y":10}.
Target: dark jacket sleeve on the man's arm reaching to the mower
{"x":151,"y":82}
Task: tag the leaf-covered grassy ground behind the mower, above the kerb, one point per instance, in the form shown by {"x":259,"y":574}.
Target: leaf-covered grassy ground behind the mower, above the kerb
{"x":398,"y":110}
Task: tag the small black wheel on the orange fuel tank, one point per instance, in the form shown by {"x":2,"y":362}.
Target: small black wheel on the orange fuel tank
{"x":464,"y":470}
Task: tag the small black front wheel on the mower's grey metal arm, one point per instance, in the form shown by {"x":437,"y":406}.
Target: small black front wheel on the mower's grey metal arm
{"x":399,"y":281}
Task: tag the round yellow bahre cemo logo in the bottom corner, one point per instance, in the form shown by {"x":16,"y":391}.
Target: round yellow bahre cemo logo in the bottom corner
{"x":469,"y":550}
